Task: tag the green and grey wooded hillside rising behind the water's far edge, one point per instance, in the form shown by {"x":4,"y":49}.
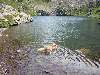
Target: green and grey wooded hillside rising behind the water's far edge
{"x":58,"y":7}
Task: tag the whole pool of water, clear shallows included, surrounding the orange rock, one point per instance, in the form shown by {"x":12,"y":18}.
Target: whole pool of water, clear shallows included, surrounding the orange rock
{"x":19,"y":46}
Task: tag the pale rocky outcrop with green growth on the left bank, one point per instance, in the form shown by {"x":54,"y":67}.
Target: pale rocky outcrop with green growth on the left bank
{"x":10,"y":16}
